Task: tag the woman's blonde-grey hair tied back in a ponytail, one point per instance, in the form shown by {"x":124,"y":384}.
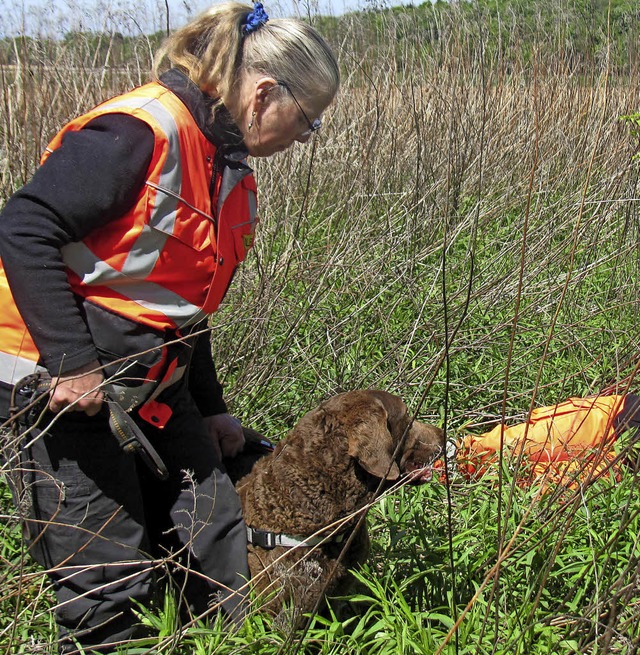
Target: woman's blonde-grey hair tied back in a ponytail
{"x":213,"y":51}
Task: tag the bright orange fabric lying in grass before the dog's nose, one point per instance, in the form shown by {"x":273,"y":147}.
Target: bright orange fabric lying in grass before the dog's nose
{"x":566,"y":443}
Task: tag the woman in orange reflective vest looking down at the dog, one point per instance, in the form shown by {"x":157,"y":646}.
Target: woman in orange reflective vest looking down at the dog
{"x":113,"y":256}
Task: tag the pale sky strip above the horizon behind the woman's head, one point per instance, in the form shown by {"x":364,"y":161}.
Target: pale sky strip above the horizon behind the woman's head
{"x":55,"y":17}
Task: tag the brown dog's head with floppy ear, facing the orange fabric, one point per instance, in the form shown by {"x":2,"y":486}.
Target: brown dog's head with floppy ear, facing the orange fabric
{"x":382,"y":437}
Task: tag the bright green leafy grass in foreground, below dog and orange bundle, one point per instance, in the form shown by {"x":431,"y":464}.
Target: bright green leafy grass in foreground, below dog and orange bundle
{"x":567,"y":564}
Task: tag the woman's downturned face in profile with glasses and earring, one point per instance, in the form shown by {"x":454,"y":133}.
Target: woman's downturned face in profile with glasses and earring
{"x":274,"y":119}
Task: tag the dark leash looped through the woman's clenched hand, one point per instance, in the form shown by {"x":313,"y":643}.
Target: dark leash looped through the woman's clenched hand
{"x":35,"y":387}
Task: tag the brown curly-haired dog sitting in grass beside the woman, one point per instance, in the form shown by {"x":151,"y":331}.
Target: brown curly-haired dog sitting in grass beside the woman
{"x":326,"y":469}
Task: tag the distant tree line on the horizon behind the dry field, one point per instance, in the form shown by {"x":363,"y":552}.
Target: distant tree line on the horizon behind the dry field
{"x":579,"y":31}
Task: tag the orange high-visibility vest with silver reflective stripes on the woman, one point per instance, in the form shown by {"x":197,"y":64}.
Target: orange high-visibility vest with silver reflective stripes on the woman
{"x":169,"y":260}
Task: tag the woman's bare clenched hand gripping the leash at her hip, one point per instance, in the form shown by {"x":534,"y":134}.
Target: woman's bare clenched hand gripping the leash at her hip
{"x":79,"y":389}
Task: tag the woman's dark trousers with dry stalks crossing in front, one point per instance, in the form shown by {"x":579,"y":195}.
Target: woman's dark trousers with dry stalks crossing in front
{"x":107,"y":530}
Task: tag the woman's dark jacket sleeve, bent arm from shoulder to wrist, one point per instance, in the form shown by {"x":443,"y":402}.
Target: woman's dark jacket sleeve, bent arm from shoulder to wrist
{"x":94,"y":176}
